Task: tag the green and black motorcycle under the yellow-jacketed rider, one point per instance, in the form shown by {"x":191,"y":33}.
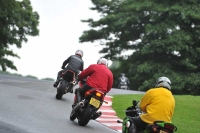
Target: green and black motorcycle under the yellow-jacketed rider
{"x":156,"y":127}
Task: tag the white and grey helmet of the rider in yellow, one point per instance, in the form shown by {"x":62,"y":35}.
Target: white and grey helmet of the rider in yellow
{"x":164,"y":82}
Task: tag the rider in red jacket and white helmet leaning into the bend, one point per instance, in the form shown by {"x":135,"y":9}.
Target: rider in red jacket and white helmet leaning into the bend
{"x":97,"y":76}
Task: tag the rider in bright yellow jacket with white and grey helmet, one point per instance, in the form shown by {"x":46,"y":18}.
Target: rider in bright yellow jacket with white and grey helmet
{"x":157,"y":104}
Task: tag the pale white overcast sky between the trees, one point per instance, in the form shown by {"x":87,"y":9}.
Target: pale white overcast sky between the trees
{"x":60,"y":28}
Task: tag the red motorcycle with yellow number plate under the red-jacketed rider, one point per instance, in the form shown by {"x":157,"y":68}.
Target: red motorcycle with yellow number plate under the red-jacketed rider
{"x":87,"y":109}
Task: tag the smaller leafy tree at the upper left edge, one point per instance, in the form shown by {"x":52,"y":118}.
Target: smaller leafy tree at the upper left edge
{"x":17,"y":20}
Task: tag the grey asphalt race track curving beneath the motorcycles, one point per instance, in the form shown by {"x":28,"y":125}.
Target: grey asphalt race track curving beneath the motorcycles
{"x":29,"y":106}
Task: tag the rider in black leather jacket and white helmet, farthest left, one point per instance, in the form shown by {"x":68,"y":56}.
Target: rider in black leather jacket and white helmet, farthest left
{"x":74,"y":63}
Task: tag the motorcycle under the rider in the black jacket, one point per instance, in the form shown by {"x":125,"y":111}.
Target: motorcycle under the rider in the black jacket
{"x":66,"y":83}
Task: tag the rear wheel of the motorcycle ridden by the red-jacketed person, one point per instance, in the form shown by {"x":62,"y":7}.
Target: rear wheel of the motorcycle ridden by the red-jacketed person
{"x":83,"y":121}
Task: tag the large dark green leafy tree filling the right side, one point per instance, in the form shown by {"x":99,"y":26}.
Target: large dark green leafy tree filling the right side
{"x":163,"y":34}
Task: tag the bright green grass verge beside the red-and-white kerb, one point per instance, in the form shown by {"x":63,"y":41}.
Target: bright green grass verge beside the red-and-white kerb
{"x":186,"y":116}
